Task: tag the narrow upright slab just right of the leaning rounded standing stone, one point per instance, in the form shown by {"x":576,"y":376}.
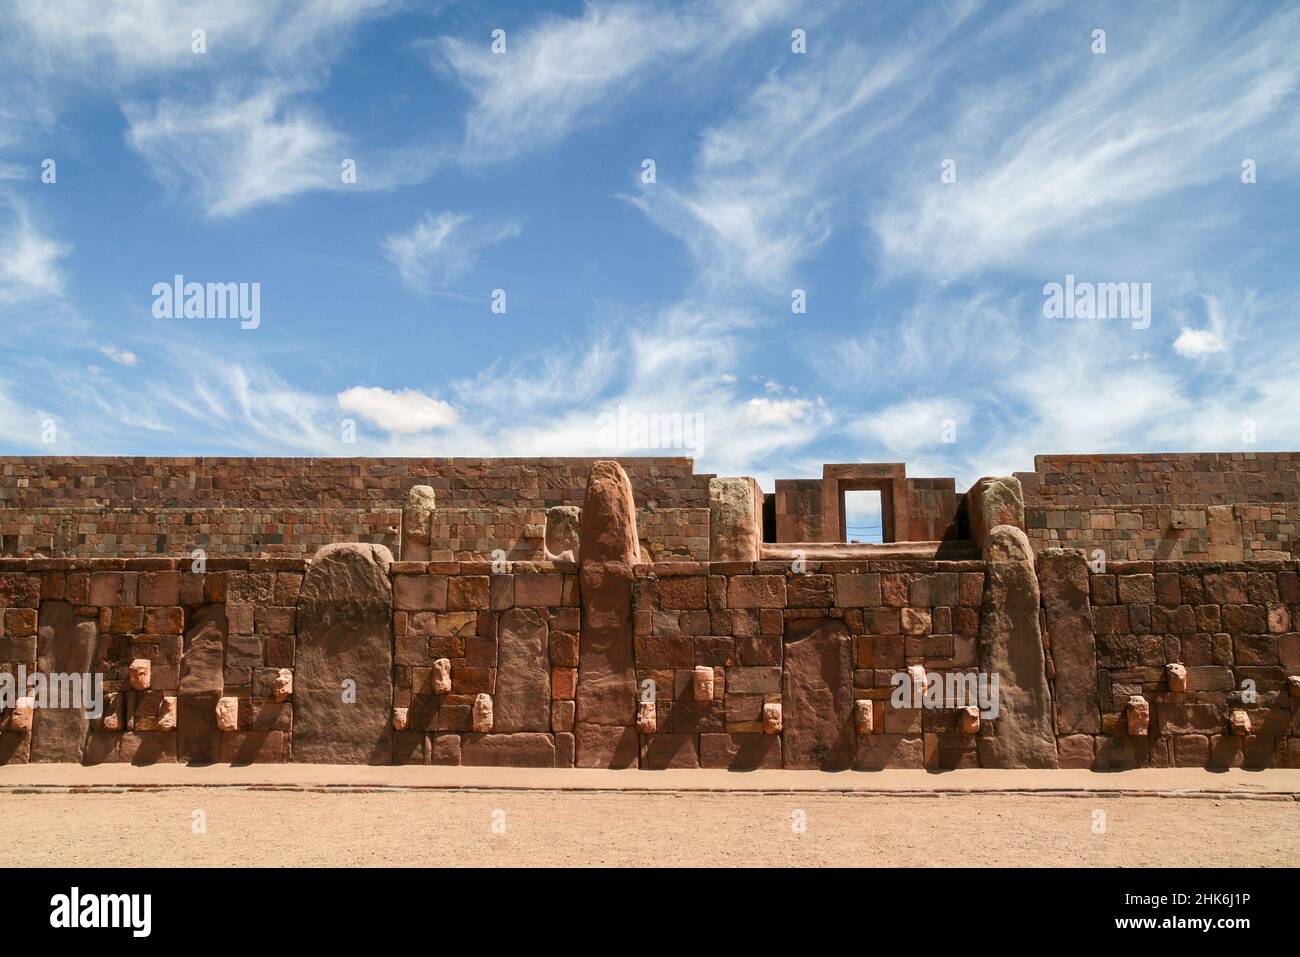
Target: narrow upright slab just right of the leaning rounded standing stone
{"x":1064,"y":583}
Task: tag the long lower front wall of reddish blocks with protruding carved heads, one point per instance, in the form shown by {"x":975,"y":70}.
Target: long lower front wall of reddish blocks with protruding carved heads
{"x":743,"y":665}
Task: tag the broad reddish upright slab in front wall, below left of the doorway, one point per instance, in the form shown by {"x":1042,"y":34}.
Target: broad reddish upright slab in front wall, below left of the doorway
{"x":817,"y":696}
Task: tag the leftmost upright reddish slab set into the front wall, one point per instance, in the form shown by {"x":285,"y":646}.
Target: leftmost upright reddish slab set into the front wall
{"x":68,"y":648}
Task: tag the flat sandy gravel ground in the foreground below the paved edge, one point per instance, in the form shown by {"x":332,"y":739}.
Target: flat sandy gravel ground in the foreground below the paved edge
{"x":501,"y":829}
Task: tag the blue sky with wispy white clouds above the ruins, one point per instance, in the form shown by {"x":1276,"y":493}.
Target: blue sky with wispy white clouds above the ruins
{"x":925,"y":337}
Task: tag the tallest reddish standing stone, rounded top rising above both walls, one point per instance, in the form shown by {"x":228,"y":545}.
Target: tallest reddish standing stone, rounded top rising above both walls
{"x":606,"y":685}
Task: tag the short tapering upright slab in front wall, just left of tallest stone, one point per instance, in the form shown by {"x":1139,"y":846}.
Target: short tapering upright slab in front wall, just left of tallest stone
{"x":523,"y":700}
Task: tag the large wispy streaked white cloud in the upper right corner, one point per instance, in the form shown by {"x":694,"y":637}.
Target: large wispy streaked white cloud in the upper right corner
{"x":1045,"y":174}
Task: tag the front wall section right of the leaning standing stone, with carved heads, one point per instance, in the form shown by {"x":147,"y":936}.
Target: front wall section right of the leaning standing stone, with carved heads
{"x":1189,"y":643}
